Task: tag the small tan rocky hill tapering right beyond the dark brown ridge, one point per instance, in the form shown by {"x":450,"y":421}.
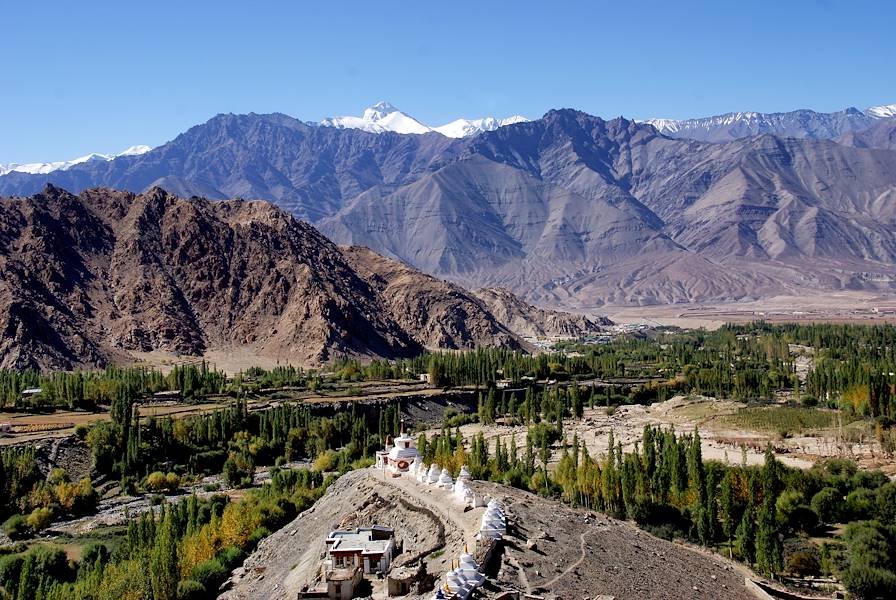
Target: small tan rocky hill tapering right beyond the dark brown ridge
{"x":530,"y":321}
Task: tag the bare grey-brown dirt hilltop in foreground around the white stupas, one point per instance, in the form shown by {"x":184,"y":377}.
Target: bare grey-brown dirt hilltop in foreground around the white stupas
{"x":577,"y":553}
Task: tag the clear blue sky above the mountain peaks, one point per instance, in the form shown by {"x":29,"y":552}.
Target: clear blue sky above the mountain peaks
{"x":101,"y":76}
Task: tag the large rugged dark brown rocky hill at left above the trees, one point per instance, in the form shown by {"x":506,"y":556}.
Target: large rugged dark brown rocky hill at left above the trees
{"x":86,"y":279}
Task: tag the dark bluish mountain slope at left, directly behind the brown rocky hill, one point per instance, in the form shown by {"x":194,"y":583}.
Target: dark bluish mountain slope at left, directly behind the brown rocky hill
{"x":310,"y":171}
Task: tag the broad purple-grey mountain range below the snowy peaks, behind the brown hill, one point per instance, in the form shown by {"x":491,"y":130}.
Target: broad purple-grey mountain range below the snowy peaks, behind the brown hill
{"x":569,"y":209}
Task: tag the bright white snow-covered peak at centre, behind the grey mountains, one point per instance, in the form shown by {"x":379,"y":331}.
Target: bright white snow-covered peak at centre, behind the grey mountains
{"x":383,"y":116}
